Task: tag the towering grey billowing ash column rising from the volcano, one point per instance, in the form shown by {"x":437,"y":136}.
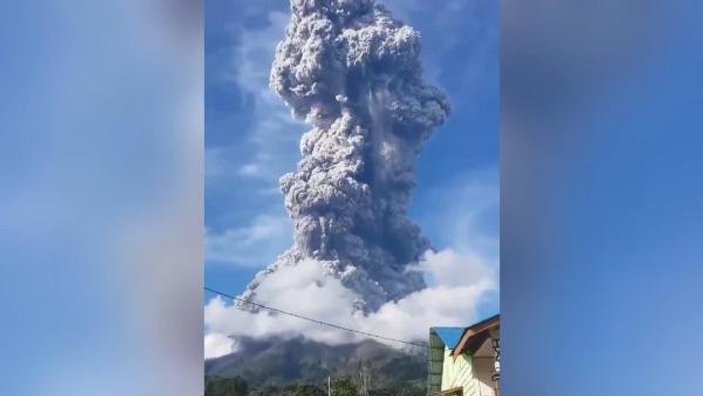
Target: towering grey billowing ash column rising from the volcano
{"x":353,"y":73}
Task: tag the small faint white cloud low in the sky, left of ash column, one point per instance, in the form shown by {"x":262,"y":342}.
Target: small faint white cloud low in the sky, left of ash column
{"x":254,"y":245}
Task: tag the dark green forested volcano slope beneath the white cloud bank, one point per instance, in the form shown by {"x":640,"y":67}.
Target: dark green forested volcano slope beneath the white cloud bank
{"x":300,"y":367}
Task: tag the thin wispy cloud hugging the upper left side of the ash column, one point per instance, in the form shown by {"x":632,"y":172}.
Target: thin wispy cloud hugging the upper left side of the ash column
{"x":269,"y":147}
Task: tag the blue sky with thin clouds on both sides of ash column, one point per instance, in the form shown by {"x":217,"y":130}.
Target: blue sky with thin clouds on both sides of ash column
{"x":250,"y":139}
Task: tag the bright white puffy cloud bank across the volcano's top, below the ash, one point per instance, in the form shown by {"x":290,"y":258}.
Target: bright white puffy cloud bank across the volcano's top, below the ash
{"x":306,"y":289}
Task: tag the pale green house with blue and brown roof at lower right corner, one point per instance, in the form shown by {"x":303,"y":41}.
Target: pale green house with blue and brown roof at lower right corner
{"x":465,"y":361}
